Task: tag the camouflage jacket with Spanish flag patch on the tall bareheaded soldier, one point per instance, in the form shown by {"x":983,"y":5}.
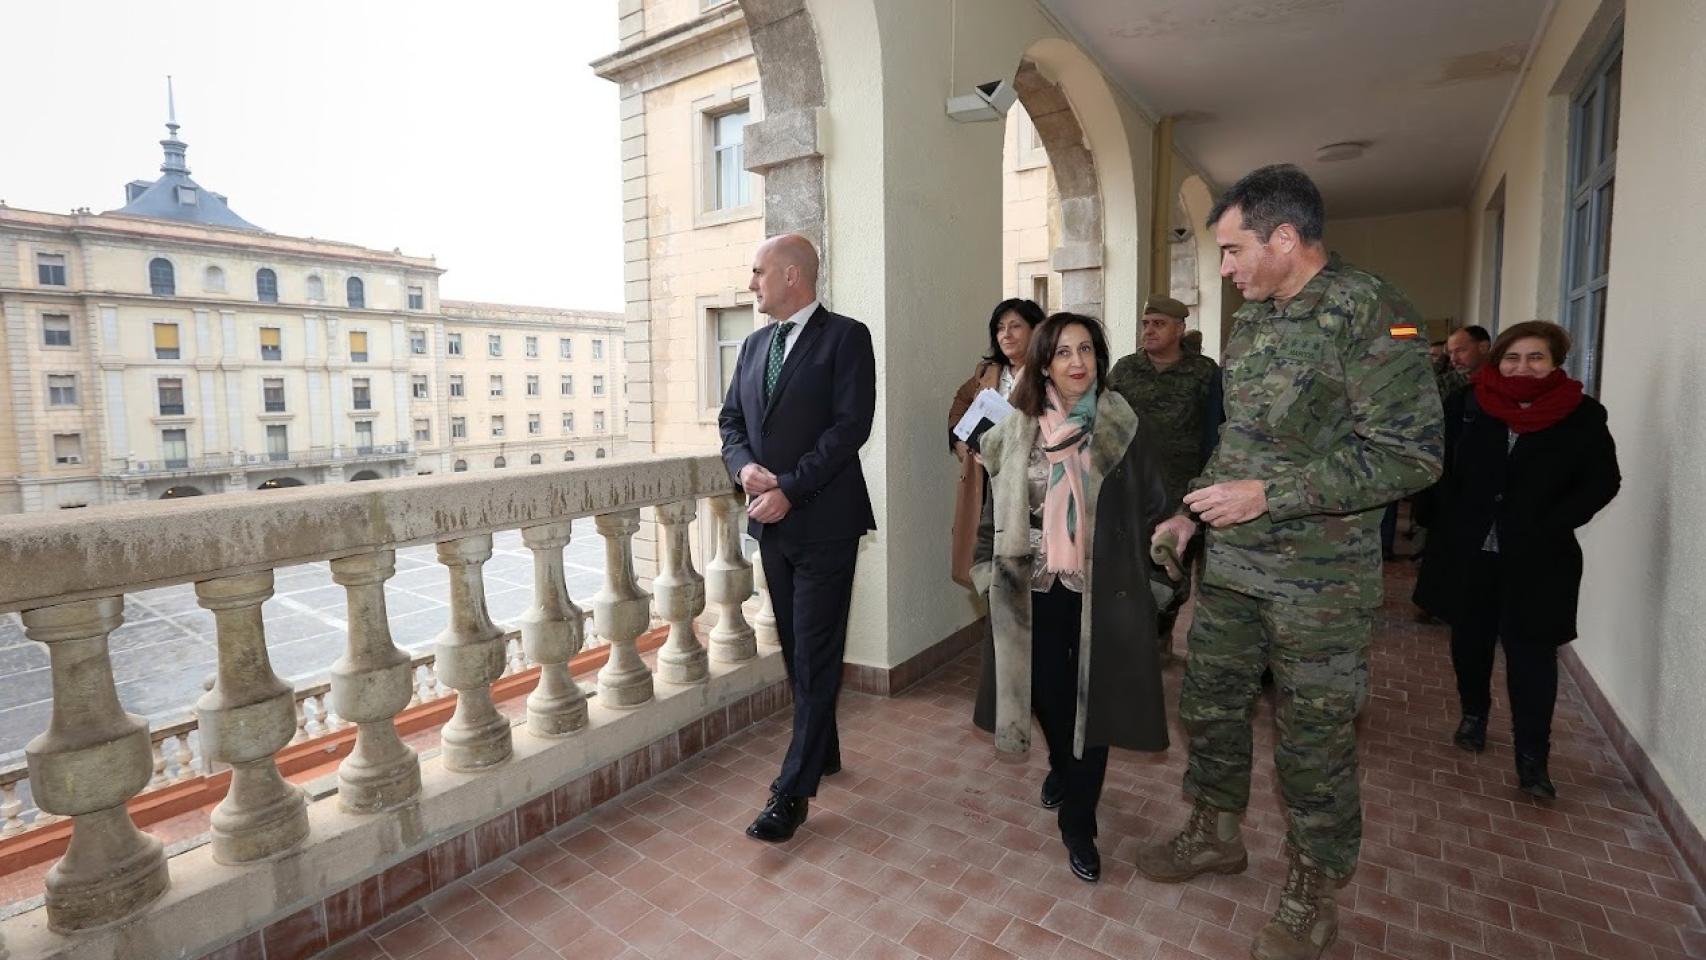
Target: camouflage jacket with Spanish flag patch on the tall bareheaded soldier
{"x":1338,"y":420}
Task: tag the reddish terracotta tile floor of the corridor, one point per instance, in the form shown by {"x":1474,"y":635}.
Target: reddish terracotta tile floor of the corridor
{"x":929,"y":847}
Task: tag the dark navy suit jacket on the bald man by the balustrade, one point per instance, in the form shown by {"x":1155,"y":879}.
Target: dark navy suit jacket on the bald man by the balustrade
{"x":811,"y":431}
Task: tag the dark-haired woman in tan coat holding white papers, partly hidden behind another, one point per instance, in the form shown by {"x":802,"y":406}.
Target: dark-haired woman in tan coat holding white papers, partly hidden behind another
{"x":1011,"y":328}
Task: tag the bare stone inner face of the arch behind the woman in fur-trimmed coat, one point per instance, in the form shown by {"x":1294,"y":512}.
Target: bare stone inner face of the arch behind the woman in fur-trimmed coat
{"x":1079,"y":258}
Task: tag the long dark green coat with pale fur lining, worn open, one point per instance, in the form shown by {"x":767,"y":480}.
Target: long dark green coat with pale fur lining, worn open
{"x":1120,"y":685}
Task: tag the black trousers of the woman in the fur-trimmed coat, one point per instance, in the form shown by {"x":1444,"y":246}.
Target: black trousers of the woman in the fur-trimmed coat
{"x":1055,"y":623}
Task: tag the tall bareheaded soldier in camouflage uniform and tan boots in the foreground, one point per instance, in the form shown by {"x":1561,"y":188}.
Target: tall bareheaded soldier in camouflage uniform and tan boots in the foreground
{"x":1328,"y":419}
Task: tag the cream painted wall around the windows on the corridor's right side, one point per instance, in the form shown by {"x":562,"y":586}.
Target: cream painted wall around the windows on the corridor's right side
{"x":1644,"y":594}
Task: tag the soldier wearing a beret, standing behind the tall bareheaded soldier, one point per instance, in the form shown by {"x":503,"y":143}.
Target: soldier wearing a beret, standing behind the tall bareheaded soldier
{"x":1171,"y":391}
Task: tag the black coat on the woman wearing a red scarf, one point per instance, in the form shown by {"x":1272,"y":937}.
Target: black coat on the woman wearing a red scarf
{"x":1540,"y":492}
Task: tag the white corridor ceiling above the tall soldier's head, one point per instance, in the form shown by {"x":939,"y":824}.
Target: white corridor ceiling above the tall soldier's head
{"x":1256,"y":83}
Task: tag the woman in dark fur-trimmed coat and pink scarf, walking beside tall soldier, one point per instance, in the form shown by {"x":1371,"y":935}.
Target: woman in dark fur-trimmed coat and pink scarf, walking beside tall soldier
{"x":1064,"y":562}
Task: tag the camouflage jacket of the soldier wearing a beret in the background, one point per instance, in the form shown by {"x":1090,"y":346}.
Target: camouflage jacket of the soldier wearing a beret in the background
{"x":1175,"y":403}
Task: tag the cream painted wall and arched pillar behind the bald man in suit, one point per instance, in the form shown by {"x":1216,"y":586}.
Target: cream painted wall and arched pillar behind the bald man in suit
{"x":915,"y":238}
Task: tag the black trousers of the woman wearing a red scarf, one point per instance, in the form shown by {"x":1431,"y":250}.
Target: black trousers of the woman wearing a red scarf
{"x":1488,"y":618}
